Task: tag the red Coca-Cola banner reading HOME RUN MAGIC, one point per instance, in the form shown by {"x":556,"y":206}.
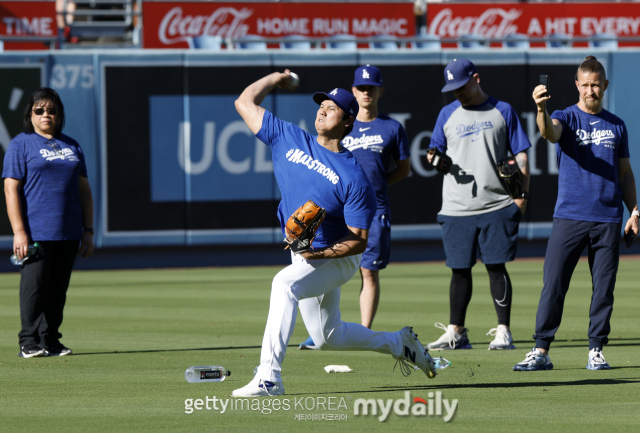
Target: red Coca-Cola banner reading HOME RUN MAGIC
{"x":172,"y":24}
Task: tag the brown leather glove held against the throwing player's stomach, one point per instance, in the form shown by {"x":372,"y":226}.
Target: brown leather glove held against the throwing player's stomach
{"x":302,"y":225}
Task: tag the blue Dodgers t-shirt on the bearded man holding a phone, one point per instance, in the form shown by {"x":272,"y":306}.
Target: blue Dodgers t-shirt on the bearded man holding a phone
{"x":588,"y":153}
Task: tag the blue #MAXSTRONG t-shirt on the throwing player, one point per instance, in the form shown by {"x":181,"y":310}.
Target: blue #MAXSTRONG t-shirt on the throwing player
{"x":307,"y":171}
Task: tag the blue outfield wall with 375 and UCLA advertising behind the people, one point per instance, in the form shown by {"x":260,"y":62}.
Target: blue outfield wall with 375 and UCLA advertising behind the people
{"x":171,"y":163}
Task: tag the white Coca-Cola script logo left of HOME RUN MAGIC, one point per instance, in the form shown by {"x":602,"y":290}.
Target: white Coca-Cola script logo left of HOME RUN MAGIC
{"x":226,"y":22}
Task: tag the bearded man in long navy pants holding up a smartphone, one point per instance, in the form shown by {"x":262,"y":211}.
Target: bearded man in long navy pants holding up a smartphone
{"x":594,"y":179}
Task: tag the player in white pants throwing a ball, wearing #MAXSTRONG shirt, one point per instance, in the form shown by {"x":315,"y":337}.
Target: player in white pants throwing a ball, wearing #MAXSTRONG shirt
{"x":318,"y":168}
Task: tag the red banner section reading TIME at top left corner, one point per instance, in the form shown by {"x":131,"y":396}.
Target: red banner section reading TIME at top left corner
{"x":26,"y":18}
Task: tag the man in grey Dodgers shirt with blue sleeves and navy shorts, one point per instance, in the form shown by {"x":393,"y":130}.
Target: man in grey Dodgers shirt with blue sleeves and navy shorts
{"x":478,"y":217}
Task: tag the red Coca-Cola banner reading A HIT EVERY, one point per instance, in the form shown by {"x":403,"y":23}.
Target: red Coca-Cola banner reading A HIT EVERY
{"x":536,"y":20}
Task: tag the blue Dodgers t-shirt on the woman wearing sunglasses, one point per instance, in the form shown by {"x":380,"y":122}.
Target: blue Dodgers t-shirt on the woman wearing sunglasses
{"x":50,"y":203}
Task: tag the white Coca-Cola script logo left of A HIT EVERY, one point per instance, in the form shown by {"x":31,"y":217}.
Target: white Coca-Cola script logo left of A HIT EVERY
{"x":493,"y":23}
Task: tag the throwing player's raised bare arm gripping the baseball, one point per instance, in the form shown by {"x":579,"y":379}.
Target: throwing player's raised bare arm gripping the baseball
{"x":248,"y":104}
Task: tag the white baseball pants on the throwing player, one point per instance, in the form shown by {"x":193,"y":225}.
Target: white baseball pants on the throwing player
{"x":314,"y":286}
